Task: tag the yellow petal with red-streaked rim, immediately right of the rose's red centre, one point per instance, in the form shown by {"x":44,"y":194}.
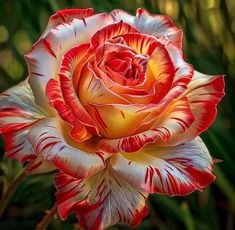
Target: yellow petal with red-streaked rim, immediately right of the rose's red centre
{"x":160,"y":68}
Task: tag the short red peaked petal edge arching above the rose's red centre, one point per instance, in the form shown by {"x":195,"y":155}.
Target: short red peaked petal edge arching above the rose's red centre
{"x":112,"y":31}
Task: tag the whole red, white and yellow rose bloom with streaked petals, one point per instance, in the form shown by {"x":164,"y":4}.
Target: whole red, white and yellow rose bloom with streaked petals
{"x":112,"y":105}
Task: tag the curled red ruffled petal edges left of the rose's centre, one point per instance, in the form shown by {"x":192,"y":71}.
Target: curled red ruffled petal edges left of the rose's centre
{"x":64,"y":99}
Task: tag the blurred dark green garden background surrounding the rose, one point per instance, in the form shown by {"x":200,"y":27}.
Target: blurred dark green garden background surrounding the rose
{"x":209,"y":44}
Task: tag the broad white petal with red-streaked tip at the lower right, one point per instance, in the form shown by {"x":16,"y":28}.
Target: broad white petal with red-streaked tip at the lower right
{"x":177,"y":170}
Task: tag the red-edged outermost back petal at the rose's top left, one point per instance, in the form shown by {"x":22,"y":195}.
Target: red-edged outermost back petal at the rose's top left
{"x":67,"y":15}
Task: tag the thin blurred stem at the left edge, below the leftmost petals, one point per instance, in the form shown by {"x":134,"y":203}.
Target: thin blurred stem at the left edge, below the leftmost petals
{"x":10,"y":191}
